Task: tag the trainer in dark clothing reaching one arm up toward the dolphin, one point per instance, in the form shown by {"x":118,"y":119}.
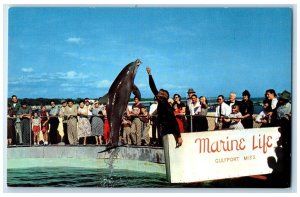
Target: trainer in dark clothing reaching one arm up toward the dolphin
{"x":165,"y":113}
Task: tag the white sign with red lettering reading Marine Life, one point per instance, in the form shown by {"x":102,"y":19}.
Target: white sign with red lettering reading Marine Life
{"x":221,"y":154}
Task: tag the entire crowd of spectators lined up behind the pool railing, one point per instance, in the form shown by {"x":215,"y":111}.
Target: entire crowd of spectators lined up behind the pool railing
{"x":86,"y":123}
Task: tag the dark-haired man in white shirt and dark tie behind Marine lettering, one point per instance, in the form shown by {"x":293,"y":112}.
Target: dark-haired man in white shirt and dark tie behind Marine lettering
{"x":222,"y":110}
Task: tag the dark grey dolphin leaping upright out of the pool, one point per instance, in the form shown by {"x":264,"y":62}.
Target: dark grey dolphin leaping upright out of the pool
{"x":118,"y":97}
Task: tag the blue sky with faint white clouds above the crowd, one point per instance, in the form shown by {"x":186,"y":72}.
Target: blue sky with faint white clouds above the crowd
{"x":78,"y":52}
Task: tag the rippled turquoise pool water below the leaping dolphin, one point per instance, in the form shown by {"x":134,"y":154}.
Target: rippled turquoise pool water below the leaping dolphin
{"x":82,"y":177}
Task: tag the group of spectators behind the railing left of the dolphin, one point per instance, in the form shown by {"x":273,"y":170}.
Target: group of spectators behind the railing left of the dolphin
{"x":68,"y":124}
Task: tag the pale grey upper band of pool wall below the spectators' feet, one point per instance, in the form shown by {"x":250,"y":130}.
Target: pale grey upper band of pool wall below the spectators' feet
{"x":150,"y":154}
